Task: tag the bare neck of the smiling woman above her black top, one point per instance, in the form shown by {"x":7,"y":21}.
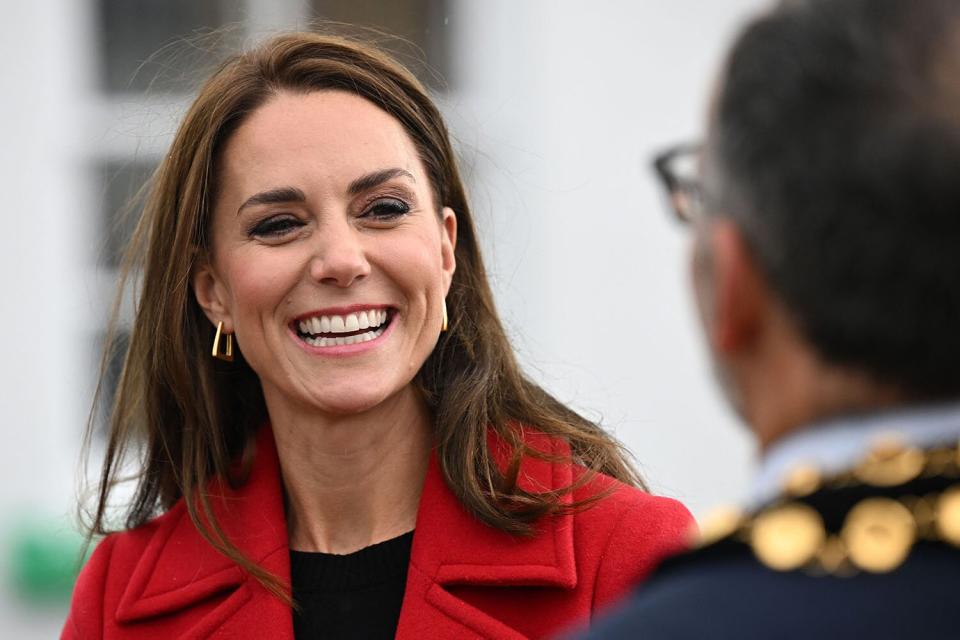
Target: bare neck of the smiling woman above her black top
{"x":352,"y":480}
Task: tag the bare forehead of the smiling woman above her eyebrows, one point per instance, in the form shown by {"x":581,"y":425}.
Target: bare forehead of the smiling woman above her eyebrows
{"x":323,"y":136}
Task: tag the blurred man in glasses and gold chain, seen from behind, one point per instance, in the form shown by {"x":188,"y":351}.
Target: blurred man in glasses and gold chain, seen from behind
{"x":825,"y":207}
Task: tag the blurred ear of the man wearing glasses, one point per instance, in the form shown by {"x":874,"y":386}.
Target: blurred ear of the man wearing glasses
{"x":740,"y":294}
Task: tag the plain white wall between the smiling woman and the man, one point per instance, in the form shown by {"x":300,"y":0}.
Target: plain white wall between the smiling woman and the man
{"x":561,"y":107}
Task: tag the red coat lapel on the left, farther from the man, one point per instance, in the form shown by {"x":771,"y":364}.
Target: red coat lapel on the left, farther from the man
{"x":181,"y":571}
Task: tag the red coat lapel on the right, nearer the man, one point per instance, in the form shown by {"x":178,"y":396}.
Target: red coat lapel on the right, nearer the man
{"x":452,"y":548}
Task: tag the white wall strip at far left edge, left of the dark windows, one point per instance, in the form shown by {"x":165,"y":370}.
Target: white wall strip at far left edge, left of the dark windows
{"x":43,"y":345}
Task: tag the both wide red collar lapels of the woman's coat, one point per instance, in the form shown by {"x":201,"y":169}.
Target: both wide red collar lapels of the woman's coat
{"x":179,"y":569}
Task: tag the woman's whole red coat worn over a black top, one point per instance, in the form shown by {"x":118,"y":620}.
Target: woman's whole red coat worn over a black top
{"x":465,"y":580}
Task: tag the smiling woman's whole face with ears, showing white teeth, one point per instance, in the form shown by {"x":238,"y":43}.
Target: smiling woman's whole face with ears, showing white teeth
{"x":329,"y":261}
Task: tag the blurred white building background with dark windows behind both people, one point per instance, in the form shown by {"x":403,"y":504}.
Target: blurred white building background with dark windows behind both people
{"x":556,"y":106}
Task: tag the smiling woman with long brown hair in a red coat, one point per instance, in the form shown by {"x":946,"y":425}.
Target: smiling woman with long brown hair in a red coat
{"x":362,"y":444}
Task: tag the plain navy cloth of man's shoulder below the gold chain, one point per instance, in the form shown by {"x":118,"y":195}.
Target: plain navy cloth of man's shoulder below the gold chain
{"x":919,"y":599}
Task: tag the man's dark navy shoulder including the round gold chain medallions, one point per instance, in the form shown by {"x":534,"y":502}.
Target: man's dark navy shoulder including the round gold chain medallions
{"x":809,"y":554}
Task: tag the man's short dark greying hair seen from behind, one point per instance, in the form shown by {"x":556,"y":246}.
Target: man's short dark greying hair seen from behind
{"x":836,"y":147}
